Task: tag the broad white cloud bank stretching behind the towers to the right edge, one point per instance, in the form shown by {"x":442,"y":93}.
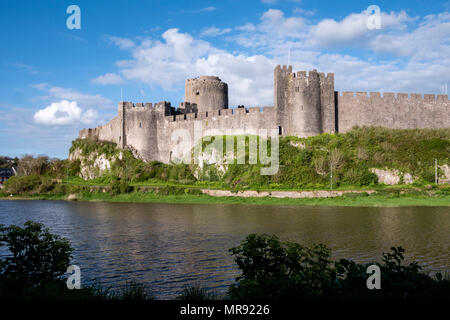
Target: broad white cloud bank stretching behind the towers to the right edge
{"x":422,"y":44}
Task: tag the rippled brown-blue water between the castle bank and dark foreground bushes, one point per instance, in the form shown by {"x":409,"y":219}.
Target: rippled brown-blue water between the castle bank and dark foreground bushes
{"x":167,"y":246}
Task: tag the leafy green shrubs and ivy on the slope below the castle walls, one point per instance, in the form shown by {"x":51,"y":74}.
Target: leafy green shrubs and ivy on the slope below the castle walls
{"x":305,"y":163}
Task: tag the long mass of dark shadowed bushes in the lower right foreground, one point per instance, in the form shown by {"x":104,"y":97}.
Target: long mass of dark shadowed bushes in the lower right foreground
{"x":277,"y":270}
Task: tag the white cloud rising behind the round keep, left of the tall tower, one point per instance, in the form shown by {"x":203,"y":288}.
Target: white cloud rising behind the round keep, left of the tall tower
{"x":180,"y":56}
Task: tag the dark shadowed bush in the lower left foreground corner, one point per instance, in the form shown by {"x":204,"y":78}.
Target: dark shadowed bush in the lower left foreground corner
{"x":36,"y":264}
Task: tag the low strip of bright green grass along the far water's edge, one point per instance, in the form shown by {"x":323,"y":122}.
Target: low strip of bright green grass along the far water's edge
{"x":361,"y":199}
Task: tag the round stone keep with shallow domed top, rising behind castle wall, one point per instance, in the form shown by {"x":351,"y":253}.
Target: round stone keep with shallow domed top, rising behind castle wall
{"x":208,"y":92}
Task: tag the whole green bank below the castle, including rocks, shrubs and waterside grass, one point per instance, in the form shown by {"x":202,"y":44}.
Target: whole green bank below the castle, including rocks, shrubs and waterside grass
{"x":404,"y":157}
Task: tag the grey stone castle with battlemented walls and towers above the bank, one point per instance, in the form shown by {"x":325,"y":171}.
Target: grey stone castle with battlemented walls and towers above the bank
{"x":304,"y":105}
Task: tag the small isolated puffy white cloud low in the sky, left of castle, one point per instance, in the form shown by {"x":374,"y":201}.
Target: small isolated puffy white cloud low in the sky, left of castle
{"x":64,"y":112}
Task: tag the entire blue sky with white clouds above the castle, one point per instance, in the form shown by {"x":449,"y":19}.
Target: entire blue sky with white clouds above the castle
{"x":56,"y":81}
